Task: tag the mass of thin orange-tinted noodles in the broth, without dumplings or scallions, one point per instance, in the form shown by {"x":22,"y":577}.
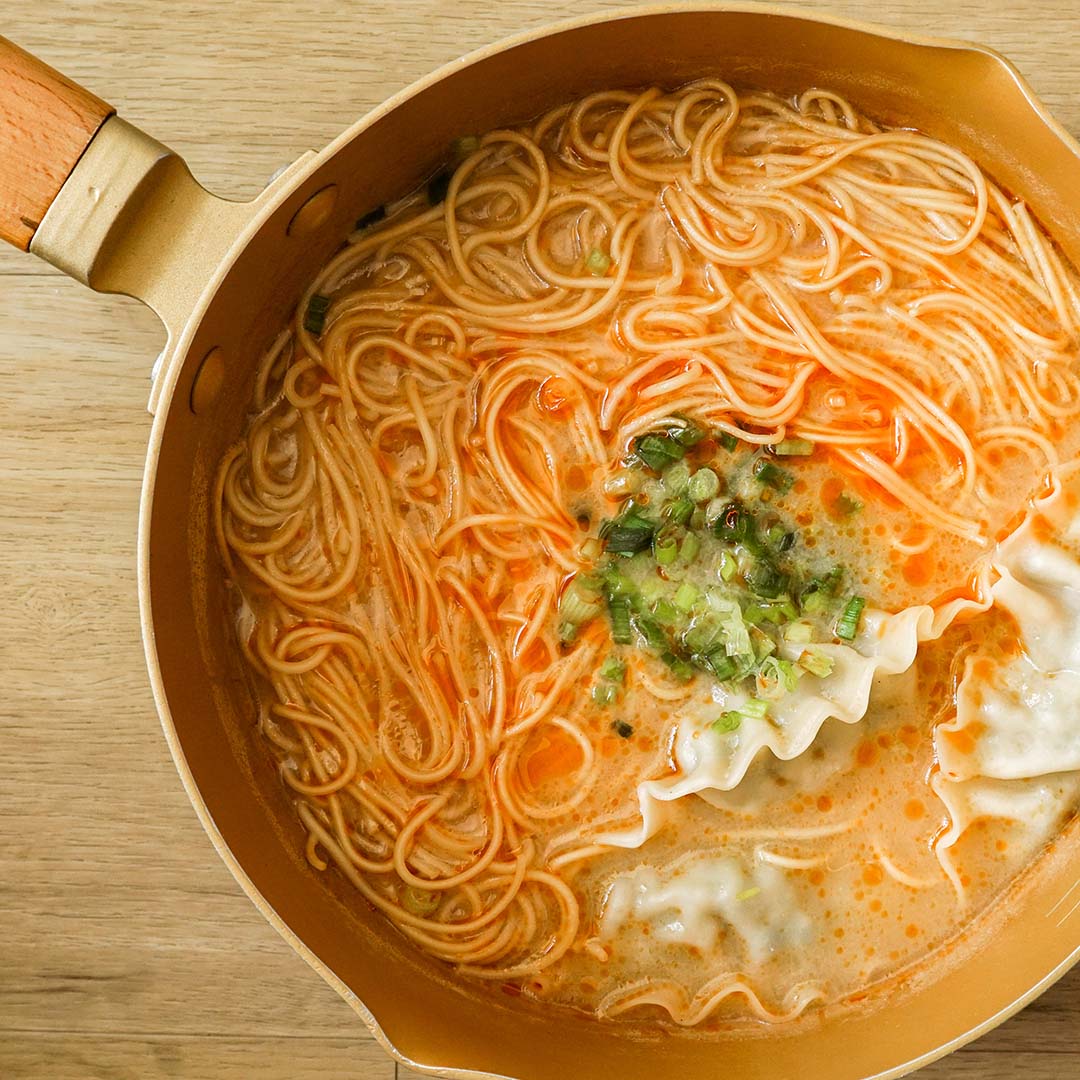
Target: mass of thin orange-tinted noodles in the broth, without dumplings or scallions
{"x":408,"y":501}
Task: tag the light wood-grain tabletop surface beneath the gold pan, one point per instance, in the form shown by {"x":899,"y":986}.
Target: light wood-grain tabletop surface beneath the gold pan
{"x":126,"y":948}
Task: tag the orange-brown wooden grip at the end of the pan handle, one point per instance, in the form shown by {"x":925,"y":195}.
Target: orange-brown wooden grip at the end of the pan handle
{"x":46,"y":124}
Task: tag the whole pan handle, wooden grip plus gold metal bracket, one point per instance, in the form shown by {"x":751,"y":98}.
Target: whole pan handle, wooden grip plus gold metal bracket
{"x":106,"y":204}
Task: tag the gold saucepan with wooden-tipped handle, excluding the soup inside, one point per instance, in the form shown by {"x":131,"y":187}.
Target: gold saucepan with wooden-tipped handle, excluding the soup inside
{"x":119,"y":211}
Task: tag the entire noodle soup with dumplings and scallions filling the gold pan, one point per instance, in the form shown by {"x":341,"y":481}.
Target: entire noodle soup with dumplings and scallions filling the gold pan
{"x":654,"y":548}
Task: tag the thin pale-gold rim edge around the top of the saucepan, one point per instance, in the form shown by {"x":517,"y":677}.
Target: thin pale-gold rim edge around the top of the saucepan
{"x":171,"y":368}
